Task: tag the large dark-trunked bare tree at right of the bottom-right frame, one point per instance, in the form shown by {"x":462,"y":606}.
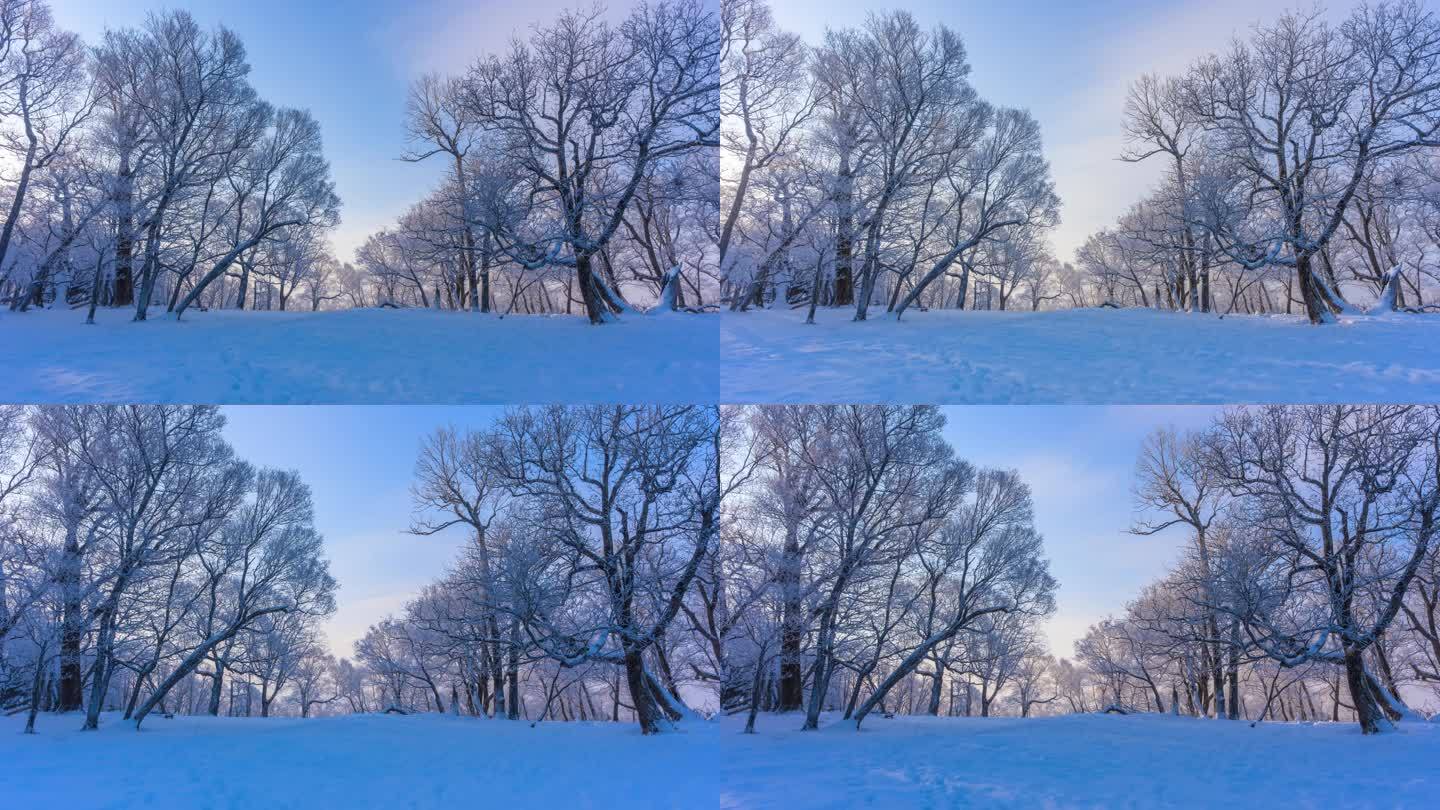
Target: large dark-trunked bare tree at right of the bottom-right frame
{"x":1344,"y":501}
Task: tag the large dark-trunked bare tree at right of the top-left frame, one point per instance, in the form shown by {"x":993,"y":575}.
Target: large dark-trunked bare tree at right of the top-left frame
{"x":630,"y":97}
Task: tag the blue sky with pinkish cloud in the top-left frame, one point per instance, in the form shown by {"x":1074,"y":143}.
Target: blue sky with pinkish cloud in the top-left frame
{"x":349,"y":63}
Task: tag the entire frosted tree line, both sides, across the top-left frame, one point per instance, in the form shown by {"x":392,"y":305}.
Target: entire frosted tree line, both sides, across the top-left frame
{"x":581,"y":169}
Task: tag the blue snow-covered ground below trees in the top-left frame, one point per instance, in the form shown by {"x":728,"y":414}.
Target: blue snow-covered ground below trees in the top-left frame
{"x":375,"y":357}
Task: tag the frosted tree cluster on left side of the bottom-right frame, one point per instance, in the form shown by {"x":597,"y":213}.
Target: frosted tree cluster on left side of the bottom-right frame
{"x":870,"y":570}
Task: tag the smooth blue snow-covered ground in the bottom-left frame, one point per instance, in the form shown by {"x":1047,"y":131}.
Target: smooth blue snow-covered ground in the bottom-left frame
{"x":356,"y":763}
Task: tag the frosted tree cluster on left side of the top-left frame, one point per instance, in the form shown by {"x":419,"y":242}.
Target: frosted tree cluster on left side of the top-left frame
{"x":146,"y":172}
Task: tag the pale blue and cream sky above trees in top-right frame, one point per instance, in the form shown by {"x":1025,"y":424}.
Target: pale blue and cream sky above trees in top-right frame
{"x":1071,"y":64}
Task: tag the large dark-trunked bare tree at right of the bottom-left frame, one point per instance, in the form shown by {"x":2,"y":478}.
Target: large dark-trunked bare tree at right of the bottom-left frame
{"x":629,"y":499}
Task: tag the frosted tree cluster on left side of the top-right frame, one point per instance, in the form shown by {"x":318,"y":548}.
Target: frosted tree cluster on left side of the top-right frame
{"x":866,"y":171}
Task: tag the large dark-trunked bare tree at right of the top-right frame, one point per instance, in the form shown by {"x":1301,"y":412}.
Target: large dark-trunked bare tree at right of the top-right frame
{"x":1302,"y":112}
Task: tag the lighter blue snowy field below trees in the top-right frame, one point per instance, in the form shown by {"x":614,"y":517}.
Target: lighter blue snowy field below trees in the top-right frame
{"x":1076,"y":357}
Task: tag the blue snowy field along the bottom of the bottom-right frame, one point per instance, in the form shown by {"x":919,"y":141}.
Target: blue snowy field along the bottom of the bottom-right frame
{"x":1076,"y":762}
